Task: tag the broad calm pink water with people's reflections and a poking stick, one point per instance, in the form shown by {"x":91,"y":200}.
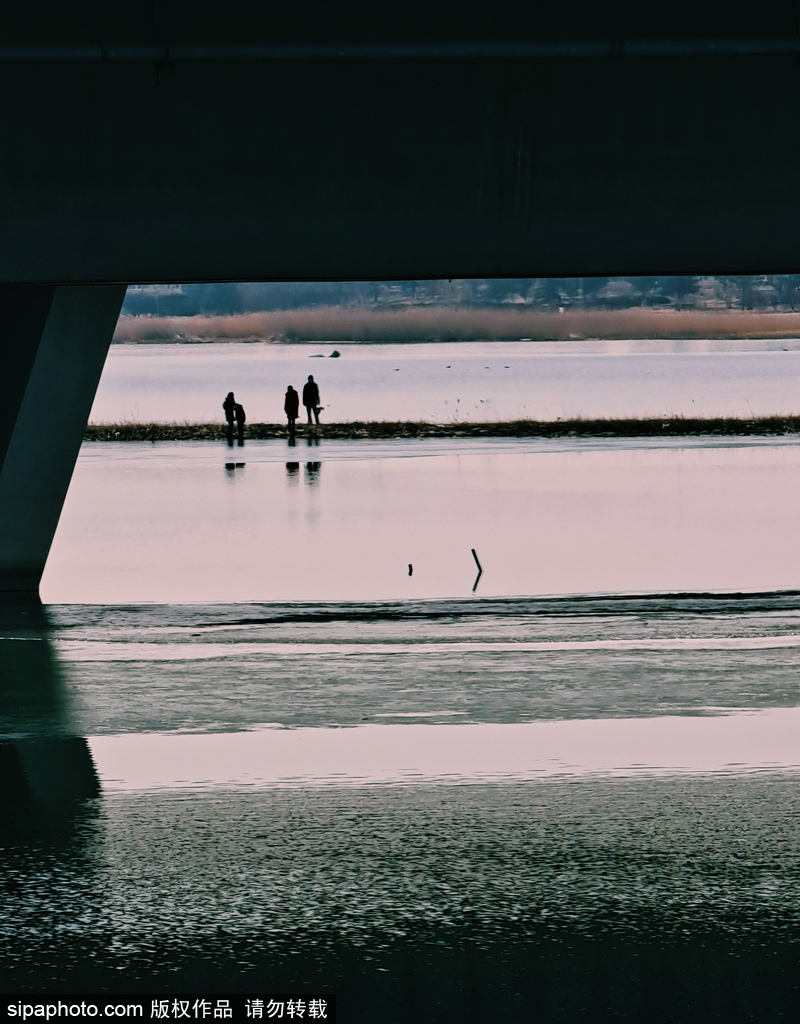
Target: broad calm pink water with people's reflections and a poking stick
{"x":344,"y":522}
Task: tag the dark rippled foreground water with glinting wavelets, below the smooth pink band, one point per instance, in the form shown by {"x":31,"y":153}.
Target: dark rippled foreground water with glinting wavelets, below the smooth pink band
{"x":656,"y":860}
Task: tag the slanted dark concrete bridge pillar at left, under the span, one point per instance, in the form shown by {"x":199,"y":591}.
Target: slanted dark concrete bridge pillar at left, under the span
{"x":56,"y":340}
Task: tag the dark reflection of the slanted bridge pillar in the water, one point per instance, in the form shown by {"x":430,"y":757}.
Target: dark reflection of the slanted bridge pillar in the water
{"x":51,"y":824}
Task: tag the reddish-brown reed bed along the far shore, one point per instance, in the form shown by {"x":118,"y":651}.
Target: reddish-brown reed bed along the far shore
{"x":334,"y":324}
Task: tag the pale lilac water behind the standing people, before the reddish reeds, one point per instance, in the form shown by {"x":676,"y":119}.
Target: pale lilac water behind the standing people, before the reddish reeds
{"x":447,"y":382}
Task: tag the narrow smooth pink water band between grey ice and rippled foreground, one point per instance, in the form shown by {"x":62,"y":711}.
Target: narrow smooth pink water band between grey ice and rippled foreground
{"x":415,"y":753}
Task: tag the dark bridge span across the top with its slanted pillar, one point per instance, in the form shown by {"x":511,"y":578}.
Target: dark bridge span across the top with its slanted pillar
{"x":151,"y":143}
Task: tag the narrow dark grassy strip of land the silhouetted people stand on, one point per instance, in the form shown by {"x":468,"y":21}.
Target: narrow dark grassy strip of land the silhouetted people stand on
{"x":678,"y":426}
